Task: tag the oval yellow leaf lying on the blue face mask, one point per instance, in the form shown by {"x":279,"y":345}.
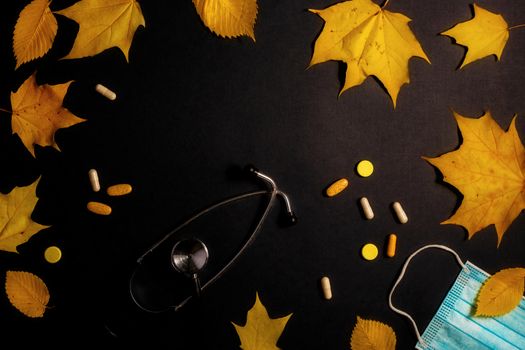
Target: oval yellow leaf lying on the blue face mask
{"x":501,"y":293}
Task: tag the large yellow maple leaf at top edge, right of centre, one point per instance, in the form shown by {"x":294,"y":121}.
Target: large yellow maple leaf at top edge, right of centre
{"x":370,"y":40}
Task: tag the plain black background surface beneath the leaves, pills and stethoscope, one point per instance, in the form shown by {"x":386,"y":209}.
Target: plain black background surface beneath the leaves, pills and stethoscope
{"x":191,"y":109}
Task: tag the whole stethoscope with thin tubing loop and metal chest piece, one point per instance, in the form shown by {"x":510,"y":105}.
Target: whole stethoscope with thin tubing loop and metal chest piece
{"x":190,"y":256}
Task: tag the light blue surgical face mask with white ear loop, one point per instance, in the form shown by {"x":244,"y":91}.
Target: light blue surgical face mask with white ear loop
{"x":454,"y":326}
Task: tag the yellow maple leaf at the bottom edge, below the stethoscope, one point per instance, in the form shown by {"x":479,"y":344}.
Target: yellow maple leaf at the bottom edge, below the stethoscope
{"x":260,"y":331}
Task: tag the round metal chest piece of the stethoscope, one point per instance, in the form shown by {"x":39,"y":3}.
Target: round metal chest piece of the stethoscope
{"x":189,"y":256}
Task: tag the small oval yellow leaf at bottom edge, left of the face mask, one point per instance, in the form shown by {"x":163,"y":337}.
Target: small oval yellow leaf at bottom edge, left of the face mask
{"x":372,"y":335}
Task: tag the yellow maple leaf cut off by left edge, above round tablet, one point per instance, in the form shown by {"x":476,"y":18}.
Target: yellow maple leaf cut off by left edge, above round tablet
{"x":16,"y":226}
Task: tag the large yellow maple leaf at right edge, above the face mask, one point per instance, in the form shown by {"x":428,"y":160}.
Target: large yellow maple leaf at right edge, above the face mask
{"x":489,"y":170}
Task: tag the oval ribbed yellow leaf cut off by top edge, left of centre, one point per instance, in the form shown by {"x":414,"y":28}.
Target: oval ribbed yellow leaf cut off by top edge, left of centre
{"x":228,"y":18}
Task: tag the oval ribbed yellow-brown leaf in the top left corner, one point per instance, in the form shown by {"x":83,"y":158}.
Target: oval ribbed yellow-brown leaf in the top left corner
{"x":35,"y":31}
